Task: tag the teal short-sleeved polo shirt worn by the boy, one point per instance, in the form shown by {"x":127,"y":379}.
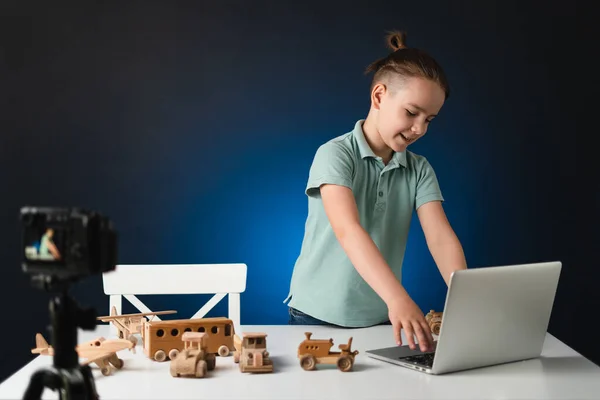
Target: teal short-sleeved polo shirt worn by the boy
{"x":324,"y":282}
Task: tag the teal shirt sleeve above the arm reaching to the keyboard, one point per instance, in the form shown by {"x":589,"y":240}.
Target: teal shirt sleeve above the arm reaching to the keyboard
{"x":332,"y":164}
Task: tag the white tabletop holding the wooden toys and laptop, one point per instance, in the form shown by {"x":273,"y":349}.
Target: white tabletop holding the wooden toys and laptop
{"x":561,"y":373}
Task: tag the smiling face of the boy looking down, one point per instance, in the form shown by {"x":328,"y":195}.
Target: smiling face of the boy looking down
{"x":405,"y":113}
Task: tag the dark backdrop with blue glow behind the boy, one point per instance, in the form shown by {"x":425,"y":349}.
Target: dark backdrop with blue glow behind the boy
{"x":193,"y":126}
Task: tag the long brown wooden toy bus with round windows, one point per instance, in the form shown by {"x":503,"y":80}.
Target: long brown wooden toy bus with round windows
{"x":162,"y":339}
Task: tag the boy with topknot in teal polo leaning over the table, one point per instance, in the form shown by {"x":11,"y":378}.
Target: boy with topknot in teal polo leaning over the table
{"x":363,"y":187}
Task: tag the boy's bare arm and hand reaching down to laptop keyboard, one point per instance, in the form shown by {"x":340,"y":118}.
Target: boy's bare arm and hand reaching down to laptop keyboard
{"x":342,"y":212}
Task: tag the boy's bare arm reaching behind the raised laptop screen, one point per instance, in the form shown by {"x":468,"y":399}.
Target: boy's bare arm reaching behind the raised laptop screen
{"x":442,"y":242}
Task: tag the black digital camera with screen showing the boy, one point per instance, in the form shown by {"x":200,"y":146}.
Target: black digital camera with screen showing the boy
{"x":67,"y":244}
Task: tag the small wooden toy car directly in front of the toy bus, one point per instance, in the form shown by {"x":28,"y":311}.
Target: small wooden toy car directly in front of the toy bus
{"x":194,"y":359}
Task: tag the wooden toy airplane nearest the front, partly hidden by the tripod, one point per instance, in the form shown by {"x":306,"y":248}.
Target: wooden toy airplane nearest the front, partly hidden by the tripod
{"x":99,"y":351}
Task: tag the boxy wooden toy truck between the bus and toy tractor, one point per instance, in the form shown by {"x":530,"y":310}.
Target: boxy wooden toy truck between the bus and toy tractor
{"x":251,"y":353}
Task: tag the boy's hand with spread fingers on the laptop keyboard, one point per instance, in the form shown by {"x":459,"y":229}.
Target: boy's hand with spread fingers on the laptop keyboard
{"x":405,"y":314}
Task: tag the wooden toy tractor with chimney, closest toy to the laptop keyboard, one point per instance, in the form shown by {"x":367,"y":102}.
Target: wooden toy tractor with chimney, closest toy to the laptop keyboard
{"x":314,"y":351}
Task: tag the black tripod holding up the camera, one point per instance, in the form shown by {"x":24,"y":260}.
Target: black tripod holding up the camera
{"x":73,"y":381}
